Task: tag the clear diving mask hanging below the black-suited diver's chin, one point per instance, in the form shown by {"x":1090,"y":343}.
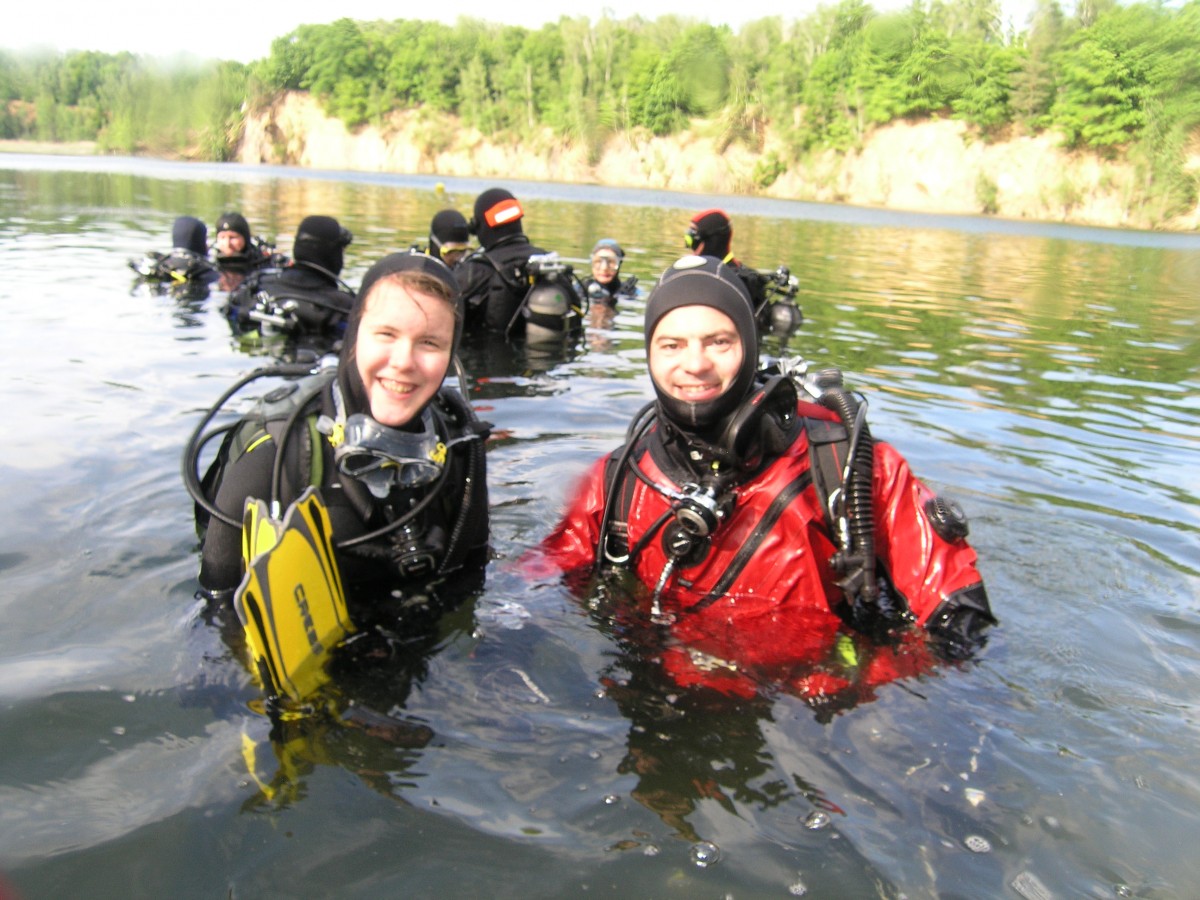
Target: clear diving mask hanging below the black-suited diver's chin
{"x":383,"y":458}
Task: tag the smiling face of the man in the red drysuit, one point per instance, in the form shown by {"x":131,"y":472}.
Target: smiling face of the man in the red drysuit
{"x":695,"y":353}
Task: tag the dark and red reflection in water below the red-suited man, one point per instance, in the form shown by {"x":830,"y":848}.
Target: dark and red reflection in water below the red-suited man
{"x":698,"y":709}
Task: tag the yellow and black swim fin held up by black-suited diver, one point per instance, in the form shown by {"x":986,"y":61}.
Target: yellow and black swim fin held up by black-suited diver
{"x":291,"y":601}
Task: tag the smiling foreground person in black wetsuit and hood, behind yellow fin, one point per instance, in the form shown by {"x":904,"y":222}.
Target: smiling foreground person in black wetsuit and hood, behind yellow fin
{"x":397,"y":459}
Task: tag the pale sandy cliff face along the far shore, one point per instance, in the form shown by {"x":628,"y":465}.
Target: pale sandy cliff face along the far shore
{"x":934,"y":167}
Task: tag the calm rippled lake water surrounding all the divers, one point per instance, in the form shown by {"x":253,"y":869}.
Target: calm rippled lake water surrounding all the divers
{"x":1047,"y":377}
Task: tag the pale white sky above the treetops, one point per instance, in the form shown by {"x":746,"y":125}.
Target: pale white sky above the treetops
{"x":244,"y":31}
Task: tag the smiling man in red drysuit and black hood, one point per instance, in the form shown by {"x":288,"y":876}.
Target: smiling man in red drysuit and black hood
{"x":763,"y":523}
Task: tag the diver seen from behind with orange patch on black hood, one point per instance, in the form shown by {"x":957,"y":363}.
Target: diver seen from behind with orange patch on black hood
{"x":511,"y":286}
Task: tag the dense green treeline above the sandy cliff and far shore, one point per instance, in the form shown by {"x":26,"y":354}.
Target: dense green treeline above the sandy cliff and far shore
{"x":1114,"y":80}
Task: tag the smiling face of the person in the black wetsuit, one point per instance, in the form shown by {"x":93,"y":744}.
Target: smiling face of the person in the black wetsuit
{"x":403,"y":351}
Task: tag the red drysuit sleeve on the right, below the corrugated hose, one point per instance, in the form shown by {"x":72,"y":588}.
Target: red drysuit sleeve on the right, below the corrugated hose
{"x":925,"y":568}
